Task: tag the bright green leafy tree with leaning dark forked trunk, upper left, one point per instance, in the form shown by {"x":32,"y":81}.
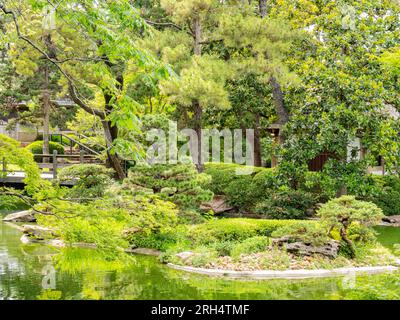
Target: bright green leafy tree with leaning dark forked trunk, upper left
{"x":93,"y":43}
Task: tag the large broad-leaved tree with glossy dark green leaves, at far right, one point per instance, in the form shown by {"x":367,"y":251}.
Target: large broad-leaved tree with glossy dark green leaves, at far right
{"x":344,"y":93}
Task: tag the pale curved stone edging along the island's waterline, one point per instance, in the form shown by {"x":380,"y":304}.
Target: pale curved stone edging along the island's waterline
{"x":286,"y":274}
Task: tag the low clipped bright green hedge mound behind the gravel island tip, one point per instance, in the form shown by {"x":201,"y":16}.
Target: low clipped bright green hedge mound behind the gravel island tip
{"x":237,"y":229}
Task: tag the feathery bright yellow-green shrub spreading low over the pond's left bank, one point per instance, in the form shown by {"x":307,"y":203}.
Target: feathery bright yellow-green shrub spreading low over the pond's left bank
{"x":111,"y":223}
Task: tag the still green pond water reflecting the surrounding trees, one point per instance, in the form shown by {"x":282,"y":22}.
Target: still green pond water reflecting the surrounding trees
{"x":40,"y":272}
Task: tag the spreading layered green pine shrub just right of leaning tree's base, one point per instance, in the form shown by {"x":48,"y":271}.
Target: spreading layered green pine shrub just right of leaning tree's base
{"x":180,"y":184}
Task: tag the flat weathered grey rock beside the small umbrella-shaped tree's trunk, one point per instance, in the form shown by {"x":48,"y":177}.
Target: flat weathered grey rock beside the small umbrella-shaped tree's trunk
{"x":330,"y":249}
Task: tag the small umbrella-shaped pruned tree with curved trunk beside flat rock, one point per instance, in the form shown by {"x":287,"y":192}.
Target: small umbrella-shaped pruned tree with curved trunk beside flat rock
{"x":340,"y":213}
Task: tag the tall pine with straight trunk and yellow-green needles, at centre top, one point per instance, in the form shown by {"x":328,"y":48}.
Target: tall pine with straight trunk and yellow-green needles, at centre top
{"x":191,"y":25}
